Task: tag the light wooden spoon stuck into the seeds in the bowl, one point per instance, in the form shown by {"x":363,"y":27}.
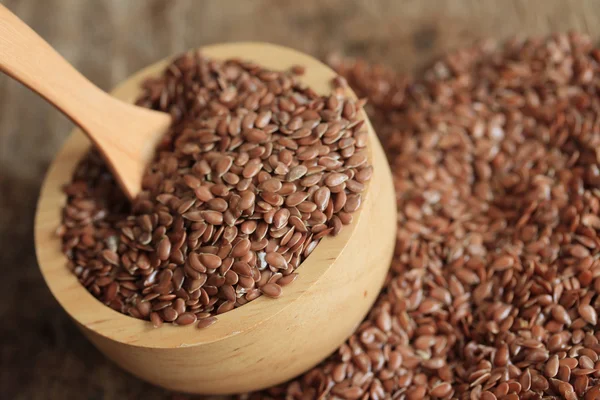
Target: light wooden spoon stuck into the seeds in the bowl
{"x":125,"y":135}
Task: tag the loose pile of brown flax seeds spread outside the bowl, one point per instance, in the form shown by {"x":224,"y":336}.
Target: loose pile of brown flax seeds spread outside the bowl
{"x":493,"y":292}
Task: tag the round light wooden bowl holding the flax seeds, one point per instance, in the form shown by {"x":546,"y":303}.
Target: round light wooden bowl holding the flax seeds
{"x":267,"y":341}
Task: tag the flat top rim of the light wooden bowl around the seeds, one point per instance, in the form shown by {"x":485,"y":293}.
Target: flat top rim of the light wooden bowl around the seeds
{"x":90,"y":312}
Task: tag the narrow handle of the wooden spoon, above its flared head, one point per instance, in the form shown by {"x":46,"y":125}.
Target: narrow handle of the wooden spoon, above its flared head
{"x":29,"y":59}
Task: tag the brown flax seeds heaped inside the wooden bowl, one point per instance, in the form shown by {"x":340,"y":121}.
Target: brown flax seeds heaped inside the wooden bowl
{"x":255,"y":170}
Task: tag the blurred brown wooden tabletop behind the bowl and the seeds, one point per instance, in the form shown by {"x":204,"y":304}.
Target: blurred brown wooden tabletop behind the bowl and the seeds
{"x":42,"y":354}
